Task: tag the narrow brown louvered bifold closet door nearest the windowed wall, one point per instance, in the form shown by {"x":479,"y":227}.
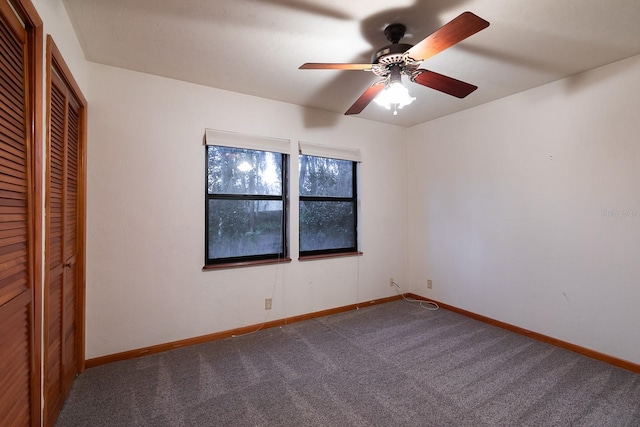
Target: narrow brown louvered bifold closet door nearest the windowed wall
{"x":62,"y":291}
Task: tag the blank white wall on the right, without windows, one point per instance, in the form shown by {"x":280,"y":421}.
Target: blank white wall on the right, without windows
{"x":527,"y":209}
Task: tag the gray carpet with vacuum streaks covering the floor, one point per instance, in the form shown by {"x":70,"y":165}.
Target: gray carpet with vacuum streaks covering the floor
{"x":393,"y":364}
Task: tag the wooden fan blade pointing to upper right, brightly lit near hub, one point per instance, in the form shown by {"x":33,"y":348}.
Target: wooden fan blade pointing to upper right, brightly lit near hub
{"x":461,"y":27}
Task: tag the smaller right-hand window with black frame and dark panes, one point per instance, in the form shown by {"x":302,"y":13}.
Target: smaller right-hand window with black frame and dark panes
{"x":328,"y":205}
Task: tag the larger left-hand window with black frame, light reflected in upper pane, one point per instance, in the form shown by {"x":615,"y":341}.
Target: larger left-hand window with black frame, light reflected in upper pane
{"x":246,"y":205}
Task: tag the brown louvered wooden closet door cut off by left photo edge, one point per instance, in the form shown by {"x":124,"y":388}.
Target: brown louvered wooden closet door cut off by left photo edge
{"x":16,"y":327}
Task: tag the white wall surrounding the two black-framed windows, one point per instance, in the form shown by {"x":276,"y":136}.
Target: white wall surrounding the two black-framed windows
{"x":145,"y":225}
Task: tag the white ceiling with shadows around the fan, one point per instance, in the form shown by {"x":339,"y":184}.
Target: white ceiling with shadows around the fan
{"x":256,"y":46}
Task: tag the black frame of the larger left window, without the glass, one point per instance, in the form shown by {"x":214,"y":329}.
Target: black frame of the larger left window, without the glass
{"x":239,"y":261}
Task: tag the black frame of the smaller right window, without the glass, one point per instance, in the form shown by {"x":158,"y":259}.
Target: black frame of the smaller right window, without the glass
{"x":332,"y":252}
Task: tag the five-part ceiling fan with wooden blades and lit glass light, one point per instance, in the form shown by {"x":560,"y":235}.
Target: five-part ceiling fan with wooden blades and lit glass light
{"x":397,"y":59}
